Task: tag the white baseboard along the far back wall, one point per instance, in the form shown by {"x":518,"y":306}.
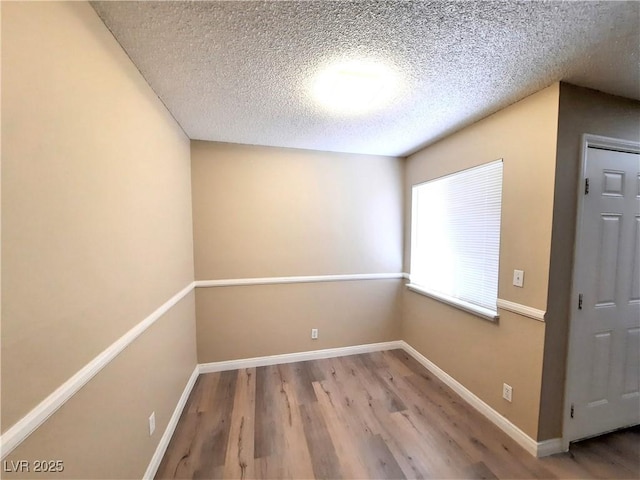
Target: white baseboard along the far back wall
{"x":297,"y":357}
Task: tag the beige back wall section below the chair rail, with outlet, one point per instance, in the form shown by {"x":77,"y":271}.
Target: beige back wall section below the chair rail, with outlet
{"x":252,"y":321}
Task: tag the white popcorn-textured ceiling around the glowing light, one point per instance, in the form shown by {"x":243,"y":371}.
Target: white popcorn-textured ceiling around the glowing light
{"x":240,"y":71}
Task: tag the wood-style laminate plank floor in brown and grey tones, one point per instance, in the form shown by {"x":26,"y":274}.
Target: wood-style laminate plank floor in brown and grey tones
{"x":376,"y":415}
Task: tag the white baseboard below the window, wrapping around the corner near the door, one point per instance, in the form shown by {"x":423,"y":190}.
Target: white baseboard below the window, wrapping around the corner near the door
{"x":537,"y":449}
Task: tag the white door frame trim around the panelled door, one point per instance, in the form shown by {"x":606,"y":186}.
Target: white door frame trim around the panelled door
{"x":607,"y":143}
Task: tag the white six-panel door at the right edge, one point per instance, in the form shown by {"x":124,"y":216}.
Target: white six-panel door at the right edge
{"x":605,"y":327}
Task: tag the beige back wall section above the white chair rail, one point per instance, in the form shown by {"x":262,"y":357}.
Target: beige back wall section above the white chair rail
{"x":270,"y":212}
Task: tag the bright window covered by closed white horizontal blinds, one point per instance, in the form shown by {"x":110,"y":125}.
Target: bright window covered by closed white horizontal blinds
{"x":455,"y":238}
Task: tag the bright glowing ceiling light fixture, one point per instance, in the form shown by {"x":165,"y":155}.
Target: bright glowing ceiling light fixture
{"x":355,"y":86}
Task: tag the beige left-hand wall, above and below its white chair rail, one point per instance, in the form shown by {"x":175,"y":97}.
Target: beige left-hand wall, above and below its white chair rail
{"x":96,"y":221}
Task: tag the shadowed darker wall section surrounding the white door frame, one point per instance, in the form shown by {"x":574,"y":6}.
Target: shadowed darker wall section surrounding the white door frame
{"x":581,"y":111}
